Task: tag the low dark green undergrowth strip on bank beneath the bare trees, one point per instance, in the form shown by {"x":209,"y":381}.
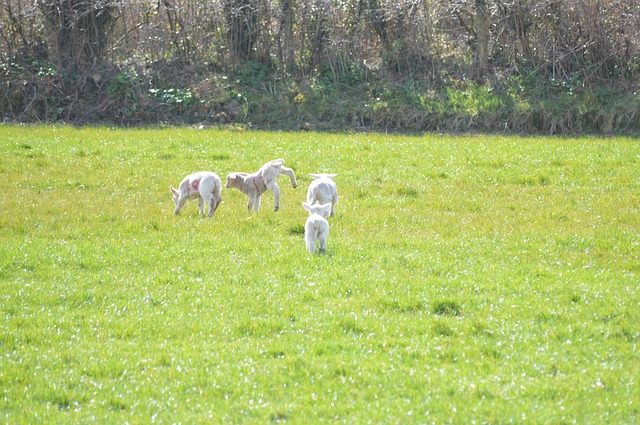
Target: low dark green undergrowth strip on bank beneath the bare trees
{"x":183,"y":94}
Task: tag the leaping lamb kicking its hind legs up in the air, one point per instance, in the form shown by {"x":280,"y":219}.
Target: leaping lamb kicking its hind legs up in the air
{"x":254,"y":185}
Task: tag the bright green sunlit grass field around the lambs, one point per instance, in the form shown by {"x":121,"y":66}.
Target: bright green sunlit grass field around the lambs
{"x":468,"y":279}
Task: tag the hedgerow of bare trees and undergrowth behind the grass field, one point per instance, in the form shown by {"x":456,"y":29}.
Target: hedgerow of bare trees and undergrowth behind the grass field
{"x":422,"y":66}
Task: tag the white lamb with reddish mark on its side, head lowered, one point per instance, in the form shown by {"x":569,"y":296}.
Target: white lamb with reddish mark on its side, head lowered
{"x":205,"y":185}
